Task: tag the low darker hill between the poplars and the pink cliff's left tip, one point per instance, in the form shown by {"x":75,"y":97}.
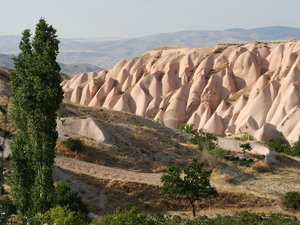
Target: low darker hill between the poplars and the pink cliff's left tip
{"x":6,"y":61}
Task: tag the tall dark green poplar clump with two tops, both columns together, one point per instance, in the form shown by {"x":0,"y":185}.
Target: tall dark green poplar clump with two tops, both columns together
{"x":36,"y":96}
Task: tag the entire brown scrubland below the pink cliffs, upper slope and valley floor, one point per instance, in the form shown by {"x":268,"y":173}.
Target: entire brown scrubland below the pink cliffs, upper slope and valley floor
{"x":258,"y":187}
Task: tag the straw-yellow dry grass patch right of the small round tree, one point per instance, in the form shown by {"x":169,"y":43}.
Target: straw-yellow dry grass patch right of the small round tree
{"x":273,"y":184}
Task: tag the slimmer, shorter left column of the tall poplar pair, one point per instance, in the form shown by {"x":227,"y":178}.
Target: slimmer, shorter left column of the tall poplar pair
{"x":21,"y":173}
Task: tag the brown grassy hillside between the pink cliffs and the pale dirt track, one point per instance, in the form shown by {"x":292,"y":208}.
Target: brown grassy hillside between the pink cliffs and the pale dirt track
{"x":132,"y":143}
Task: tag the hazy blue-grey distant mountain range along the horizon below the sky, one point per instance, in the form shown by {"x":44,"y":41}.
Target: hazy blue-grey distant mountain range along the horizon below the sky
{"x":105,"y":53}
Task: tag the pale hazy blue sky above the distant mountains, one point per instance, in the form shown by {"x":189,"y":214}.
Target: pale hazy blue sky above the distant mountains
{"x":136,"y":18}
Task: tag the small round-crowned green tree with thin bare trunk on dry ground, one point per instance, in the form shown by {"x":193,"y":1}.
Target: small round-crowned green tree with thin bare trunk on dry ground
{"x":192,"y":182}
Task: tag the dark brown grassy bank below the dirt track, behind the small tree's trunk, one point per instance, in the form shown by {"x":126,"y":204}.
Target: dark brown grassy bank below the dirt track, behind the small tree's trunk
{"x":125,"y":195}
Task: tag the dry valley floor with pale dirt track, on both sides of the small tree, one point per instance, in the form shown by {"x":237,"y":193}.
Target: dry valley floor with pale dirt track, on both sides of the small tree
{"x":105,"y":188}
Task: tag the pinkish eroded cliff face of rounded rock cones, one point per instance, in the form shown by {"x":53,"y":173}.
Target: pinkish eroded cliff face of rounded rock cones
{"x":224,"y":89}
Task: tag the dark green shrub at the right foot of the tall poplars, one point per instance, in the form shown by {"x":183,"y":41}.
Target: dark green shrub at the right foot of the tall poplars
{"x":65,"y":197}
